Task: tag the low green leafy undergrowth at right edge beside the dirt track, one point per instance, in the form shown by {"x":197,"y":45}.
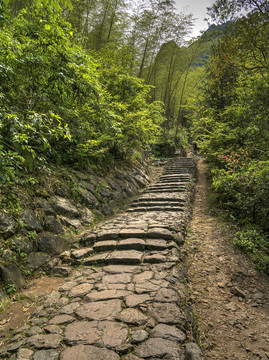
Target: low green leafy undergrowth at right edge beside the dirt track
{"x":256,"y":244}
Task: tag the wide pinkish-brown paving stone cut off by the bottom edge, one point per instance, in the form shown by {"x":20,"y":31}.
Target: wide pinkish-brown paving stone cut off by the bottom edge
{"x":88,"y":352}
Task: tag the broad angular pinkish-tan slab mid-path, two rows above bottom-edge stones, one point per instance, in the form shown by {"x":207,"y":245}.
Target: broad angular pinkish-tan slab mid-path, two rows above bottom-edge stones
{"x":101,"y":310}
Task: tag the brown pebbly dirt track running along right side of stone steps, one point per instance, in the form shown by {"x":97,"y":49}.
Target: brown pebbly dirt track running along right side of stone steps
{"x":230,"y":298}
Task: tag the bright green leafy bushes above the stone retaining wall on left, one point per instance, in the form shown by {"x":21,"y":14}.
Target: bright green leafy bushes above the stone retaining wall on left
{"x":58,"y":104}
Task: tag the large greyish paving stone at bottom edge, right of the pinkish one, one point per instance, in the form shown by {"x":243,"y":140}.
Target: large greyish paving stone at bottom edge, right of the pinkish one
{"x":159,"y":348}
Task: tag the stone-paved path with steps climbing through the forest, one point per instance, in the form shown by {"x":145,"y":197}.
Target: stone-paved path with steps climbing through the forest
{"x":127,"y":299}
